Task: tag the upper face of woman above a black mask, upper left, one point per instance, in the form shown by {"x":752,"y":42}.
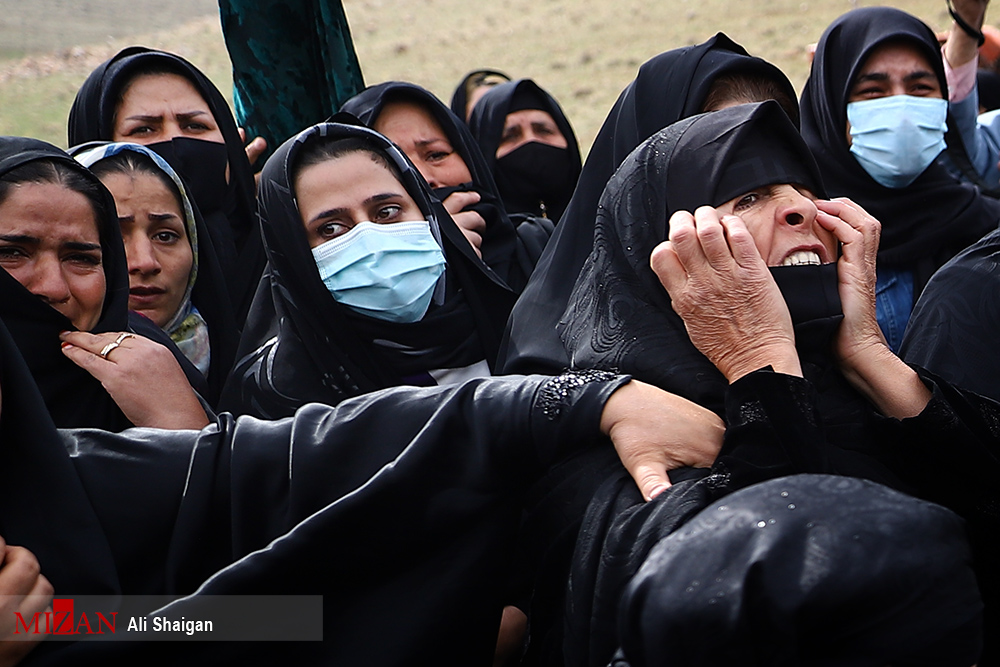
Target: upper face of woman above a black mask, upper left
{"x":159,"y":107}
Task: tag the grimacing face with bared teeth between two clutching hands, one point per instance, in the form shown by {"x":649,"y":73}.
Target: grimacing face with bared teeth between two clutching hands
{"x":782,"y":220}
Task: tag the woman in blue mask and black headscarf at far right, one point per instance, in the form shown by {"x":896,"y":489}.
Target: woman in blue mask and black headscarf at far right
{"x":875,"y":114}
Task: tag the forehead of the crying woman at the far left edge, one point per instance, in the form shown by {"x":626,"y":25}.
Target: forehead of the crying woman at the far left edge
{"x":48,"y":211}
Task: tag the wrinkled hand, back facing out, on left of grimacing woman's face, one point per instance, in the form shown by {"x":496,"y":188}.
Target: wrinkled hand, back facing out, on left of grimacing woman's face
{"x":719,"y":285}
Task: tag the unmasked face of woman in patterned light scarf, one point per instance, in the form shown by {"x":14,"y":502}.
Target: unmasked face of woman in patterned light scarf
{"x":156,"y":244}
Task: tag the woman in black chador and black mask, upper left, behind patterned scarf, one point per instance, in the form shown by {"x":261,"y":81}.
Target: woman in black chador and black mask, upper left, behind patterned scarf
{"x":123,"y":100}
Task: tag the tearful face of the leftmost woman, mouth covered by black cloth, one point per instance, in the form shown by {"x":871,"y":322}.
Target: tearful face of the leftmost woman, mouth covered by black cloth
{"x":49,"y":242}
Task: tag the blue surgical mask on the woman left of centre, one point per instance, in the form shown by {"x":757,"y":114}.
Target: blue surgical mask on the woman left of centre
{"x":384,"y":271}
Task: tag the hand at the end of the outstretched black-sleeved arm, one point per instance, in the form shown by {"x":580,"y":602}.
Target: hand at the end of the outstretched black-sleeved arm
{"x":655,"y":431}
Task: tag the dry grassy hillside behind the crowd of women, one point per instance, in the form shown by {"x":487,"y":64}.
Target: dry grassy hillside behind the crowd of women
{"x":583,"y":51}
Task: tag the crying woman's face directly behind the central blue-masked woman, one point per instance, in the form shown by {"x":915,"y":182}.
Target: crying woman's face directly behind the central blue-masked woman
{"x":418,"y":134}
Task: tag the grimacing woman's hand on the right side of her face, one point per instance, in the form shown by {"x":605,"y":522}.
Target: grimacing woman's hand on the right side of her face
{"x":858,"y":233}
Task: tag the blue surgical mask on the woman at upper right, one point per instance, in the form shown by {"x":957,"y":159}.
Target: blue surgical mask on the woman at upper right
{"x":896,"y":138}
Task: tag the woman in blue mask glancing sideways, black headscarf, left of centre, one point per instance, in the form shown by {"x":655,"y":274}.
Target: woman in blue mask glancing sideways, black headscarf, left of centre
{"x":371,"y":284}
